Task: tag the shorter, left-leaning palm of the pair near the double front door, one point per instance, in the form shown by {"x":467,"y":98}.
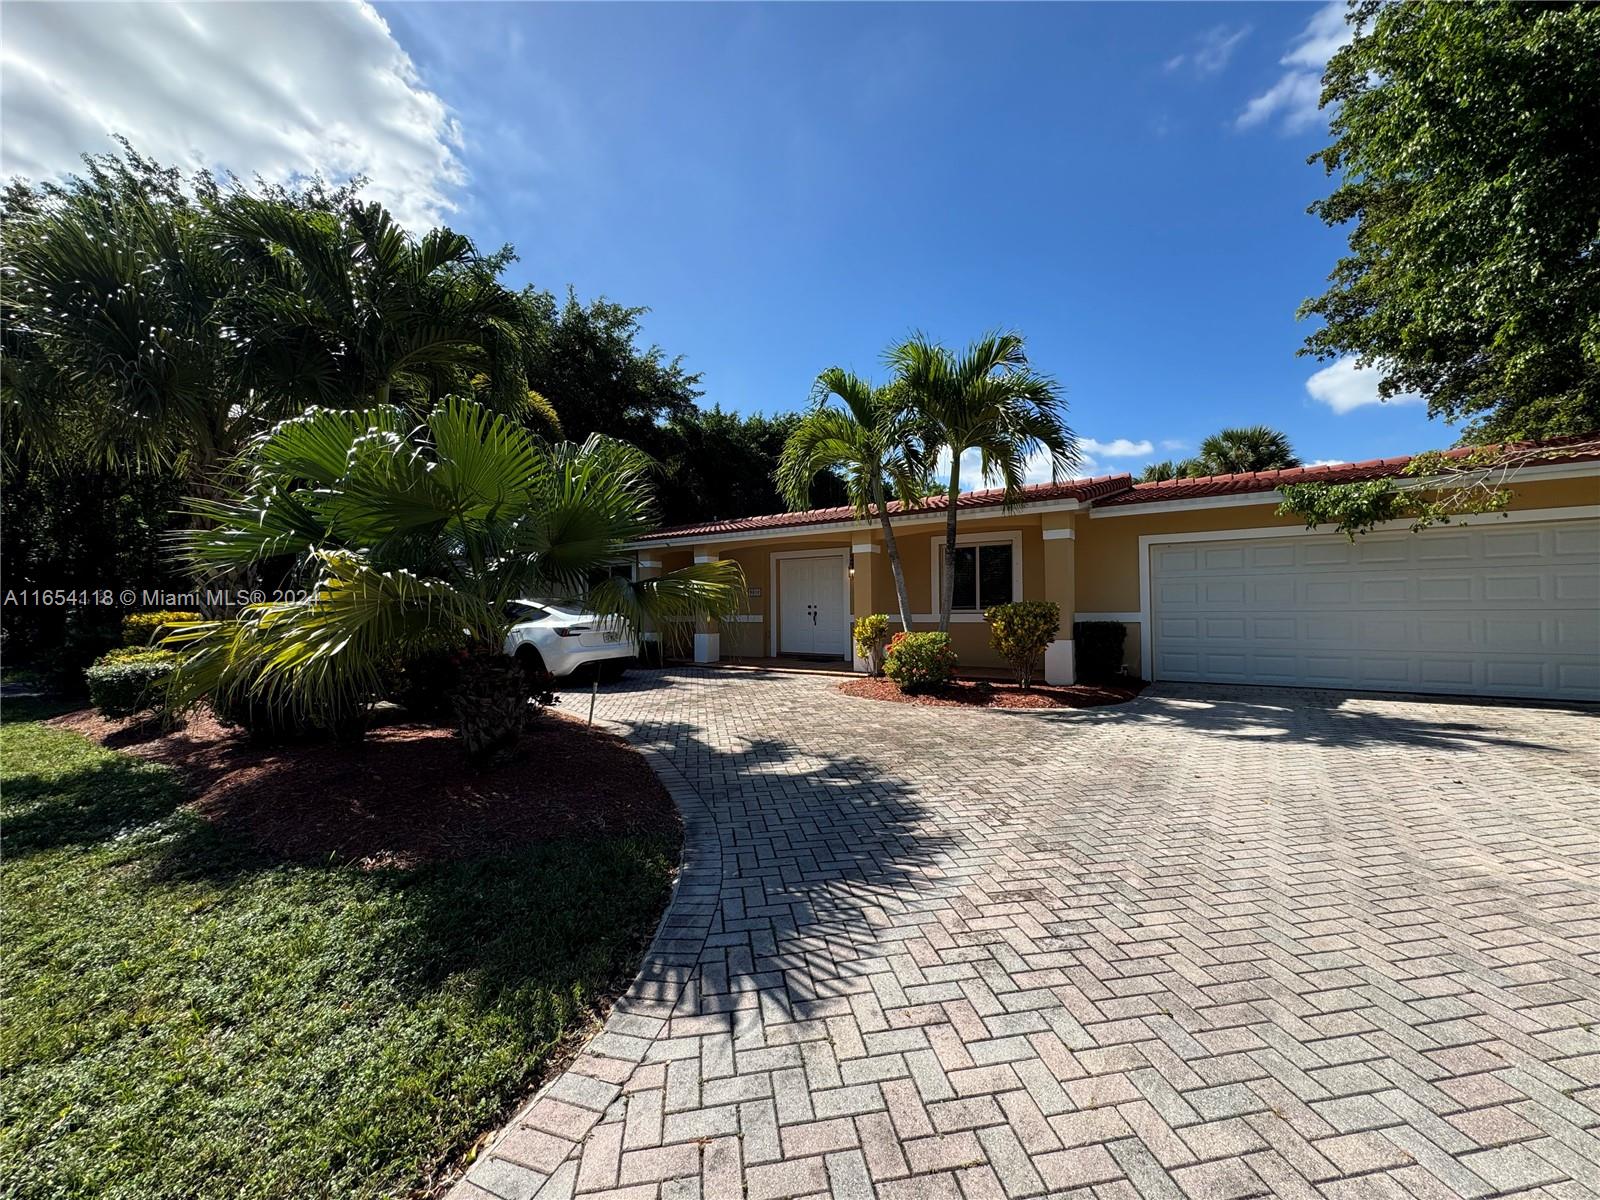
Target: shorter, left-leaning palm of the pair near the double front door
{"x":871,"y":439}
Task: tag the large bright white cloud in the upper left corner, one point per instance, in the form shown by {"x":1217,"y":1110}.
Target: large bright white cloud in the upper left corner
{"x":252,"y":89}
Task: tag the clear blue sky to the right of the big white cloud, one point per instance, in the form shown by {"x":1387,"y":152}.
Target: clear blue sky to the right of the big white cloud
{"x":793,"y":188}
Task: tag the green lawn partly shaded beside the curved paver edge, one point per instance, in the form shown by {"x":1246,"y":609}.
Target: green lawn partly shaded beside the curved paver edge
{"x":186,"y":1018}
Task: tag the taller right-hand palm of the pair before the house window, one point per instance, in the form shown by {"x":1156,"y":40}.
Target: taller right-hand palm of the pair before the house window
{"x":991,"y":401}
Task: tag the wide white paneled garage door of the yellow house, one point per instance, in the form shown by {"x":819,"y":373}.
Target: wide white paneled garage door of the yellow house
{"x":1495,"y":609}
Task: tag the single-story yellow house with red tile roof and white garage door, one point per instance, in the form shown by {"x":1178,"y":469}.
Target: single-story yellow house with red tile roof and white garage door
{"x":1210,"y":582}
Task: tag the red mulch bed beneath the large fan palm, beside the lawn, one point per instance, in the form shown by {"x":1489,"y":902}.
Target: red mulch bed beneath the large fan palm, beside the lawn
{"x":406,"y":796}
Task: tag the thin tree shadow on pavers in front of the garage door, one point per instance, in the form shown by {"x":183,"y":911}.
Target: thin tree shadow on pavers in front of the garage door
{"x":1314,"y":718}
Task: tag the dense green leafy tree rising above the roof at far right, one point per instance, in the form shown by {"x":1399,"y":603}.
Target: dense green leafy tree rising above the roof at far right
{"x":1468,"y":138}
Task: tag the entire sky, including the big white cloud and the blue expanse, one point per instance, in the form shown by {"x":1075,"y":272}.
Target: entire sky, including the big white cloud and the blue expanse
{"x":796,"y":186}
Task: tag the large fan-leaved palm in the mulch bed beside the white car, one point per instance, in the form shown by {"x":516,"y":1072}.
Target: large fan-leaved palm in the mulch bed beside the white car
{"x":410,"y":542}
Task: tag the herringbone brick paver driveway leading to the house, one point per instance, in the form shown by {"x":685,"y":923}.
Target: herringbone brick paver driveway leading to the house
{"x":1212,"y":943}
